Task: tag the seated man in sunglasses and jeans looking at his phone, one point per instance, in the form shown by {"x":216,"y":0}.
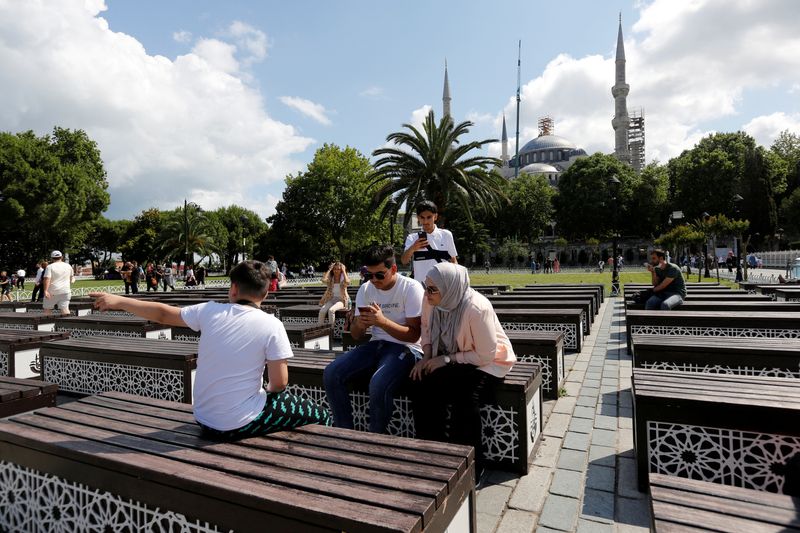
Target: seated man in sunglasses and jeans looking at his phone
{"x":392,"y":306}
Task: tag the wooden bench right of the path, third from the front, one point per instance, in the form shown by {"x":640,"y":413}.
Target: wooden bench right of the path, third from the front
{"x":742,"y":356}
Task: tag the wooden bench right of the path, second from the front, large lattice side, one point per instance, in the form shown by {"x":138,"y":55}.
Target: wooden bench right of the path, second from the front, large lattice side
{"x":734,"y":430}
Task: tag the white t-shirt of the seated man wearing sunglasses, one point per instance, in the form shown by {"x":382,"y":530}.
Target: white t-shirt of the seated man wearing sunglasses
{"x":402,"y":301}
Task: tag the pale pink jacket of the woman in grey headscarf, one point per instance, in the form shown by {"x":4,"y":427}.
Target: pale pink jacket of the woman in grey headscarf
{"x":481,"y":339}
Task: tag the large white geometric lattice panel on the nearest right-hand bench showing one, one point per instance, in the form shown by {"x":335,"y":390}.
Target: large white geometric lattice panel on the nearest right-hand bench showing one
{"x":725,"y":456}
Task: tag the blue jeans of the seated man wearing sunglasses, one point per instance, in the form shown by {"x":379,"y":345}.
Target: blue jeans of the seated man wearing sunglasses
{"x":390,"y":364}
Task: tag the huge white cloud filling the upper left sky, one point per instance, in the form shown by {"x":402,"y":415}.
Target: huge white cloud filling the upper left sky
{"x":167,"y":128}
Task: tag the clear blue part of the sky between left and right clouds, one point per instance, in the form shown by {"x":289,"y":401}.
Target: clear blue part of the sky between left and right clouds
{"x":331,"y":52}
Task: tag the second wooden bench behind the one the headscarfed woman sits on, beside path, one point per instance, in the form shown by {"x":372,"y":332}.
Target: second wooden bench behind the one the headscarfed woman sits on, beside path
{"x":567,"y":321}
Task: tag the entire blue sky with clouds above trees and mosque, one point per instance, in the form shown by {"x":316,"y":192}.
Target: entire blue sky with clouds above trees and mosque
{"x":217,"y":102}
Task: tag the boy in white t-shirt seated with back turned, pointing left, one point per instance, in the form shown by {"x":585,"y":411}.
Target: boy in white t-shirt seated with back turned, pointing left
{"x":237,"y":341}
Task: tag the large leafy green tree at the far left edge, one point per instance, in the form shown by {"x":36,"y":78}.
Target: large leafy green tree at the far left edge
{"x":52,"y":188}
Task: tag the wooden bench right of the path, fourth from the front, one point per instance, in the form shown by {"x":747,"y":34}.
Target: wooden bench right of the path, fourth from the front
{"x":712,"y":324}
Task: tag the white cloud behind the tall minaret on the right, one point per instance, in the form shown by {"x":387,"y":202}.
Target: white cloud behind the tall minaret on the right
{"x":681,"y":70}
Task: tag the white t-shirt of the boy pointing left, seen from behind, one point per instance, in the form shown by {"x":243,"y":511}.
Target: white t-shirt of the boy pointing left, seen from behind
{"x":235,"y":345}
